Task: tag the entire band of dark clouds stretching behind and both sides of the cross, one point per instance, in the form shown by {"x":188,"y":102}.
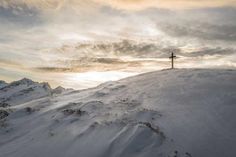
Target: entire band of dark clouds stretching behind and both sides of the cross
{"x":124,"y":55}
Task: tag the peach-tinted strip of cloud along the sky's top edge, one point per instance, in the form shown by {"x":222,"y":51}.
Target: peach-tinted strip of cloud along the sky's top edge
{"x":119,"y":4}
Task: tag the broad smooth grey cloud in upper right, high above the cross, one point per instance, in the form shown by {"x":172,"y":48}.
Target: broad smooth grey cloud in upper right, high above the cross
{"x":218,"y":23}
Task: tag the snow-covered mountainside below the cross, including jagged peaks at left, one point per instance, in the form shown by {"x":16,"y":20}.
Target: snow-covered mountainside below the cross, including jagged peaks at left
{"x":169,"y":113}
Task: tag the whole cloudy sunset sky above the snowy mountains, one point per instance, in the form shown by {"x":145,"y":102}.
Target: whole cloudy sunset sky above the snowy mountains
{"x":81,"y":43}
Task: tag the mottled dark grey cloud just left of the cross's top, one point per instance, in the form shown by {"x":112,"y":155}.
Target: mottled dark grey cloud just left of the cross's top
{"x":118,"y":48}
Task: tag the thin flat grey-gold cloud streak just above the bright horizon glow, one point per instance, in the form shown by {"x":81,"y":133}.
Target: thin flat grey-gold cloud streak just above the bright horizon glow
{"x":97,"y":64}
